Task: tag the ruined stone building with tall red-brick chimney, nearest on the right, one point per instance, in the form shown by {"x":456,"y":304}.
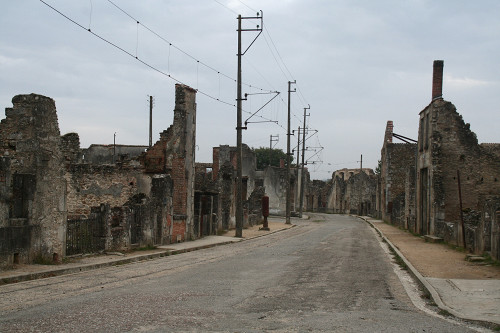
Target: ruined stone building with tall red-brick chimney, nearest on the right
{"x":447,"y":150}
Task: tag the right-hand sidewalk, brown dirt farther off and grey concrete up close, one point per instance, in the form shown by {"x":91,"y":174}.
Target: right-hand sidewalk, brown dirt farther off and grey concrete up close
{"x":471,"y":299}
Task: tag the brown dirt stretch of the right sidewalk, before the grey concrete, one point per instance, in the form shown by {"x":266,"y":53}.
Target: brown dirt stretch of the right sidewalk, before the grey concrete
{"x":435,"y":259}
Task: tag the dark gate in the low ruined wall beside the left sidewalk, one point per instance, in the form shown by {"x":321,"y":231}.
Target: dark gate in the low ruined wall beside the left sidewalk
{"x":84,"y":236}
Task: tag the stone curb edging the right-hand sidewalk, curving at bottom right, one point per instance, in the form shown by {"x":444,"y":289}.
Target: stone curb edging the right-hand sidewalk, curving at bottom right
{"x":424,"y":283}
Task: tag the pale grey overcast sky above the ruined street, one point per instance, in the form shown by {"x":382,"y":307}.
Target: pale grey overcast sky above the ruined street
{"x":357,"y":63}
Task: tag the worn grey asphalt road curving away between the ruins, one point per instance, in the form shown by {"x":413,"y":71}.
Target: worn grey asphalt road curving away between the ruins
{"x":327,"y":274}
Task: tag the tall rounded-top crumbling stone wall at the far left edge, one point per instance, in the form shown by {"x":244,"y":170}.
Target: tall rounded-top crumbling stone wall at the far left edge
{"x":32,"y":186}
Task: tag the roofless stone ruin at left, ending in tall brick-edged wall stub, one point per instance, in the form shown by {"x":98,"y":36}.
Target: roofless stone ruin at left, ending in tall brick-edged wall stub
{"x":57,"y":199}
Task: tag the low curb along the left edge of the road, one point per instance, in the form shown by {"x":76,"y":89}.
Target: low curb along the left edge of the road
{"x":88,"y":267}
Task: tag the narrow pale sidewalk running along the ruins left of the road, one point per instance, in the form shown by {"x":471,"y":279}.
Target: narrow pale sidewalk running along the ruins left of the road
{"x":85,"y":263}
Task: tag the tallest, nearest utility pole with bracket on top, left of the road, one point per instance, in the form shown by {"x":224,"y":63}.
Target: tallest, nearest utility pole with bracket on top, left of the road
{"x":239,"y":128}
